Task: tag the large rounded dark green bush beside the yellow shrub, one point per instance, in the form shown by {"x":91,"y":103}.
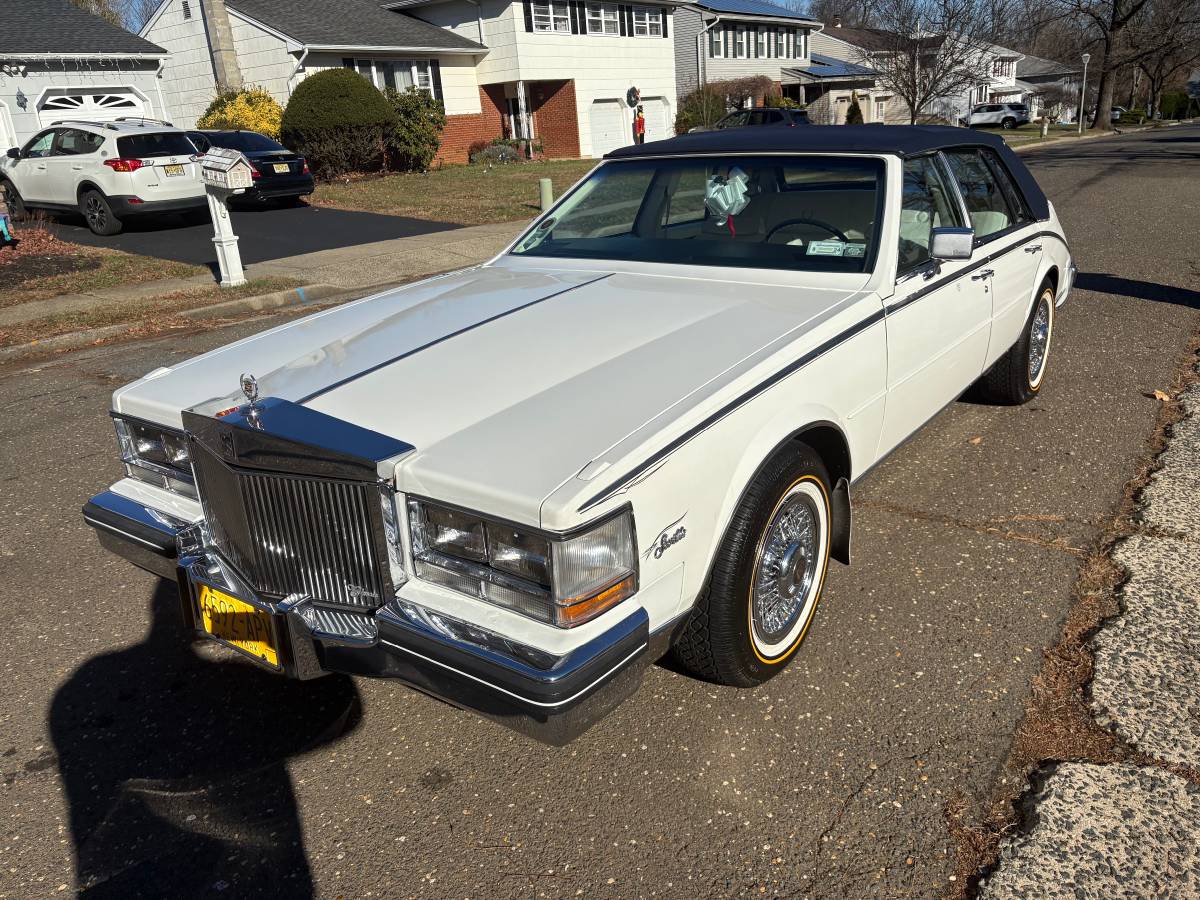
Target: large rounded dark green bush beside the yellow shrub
{"x":340,"y":123}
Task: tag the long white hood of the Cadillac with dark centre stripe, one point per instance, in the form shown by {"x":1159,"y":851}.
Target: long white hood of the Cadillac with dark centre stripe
{"x":506,"y":382}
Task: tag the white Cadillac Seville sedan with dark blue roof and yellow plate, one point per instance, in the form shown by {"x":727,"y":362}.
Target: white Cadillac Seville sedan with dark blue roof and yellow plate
{"x":634,"y":431}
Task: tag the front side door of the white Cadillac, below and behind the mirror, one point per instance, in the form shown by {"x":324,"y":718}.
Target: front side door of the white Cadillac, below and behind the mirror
{"x":940,"y":316}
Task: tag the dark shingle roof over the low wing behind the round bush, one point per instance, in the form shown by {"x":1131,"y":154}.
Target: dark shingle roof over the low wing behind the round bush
{"x":351,"y":23}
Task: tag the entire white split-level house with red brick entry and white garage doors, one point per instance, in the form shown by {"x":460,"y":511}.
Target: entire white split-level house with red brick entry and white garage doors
{"x":567,"y":76}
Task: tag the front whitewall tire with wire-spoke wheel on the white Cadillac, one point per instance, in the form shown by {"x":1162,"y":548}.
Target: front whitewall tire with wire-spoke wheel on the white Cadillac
{"x":767,"y":578}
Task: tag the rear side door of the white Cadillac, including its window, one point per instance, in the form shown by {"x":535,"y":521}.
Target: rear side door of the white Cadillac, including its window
{"x":1001,"y":219}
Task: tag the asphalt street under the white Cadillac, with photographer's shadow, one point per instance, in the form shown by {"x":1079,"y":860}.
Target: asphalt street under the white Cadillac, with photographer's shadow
{"x":142,"y":767}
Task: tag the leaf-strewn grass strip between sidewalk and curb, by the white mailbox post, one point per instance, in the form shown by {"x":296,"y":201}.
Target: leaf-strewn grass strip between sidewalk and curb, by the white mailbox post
{"x":146,"y":316}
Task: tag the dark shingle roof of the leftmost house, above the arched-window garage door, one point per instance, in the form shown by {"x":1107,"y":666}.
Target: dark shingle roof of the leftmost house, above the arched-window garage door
{"x":29,"y":27}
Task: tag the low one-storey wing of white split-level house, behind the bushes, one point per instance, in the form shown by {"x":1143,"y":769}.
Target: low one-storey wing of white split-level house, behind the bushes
{"x":277,"y":44}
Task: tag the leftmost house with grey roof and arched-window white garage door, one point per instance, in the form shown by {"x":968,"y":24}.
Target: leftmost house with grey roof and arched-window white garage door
{"x":58,"y":62}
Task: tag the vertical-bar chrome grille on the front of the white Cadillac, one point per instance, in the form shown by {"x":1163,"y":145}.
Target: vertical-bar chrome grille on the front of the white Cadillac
{"x":291,"y":535}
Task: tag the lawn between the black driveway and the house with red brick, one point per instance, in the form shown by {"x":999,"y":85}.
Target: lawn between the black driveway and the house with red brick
{"x":464,"y":195}
